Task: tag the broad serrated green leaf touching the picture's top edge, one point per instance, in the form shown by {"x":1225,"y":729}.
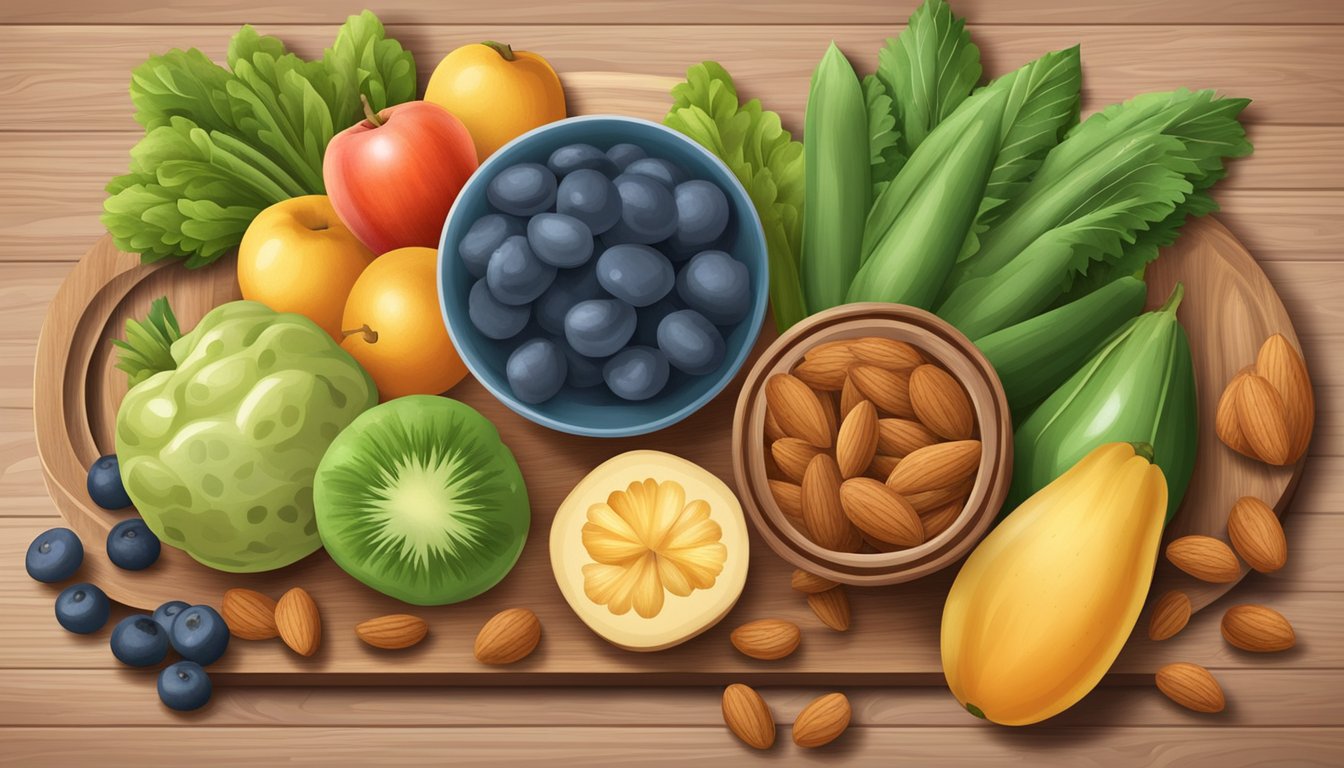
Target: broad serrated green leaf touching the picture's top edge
{"x":929,"y":69}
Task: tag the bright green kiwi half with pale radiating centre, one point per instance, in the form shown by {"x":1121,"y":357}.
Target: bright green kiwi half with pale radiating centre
{"x":420,"y":500}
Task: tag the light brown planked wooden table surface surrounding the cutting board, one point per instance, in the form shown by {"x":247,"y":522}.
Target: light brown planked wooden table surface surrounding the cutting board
{"x":67,"y":128}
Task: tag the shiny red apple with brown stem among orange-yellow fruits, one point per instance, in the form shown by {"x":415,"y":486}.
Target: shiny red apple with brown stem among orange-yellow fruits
{"x":393,"y":177}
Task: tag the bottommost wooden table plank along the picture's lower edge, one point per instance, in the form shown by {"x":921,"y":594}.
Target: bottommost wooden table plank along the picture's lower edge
{"x":528,"y":746}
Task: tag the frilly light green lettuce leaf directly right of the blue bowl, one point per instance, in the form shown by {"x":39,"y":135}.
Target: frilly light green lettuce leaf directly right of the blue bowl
{"x":764,"y":157}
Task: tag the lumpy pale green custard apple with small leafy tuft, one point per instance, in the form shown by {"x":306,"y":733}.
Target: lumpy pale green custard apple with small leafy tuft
{"x":224,"y":428}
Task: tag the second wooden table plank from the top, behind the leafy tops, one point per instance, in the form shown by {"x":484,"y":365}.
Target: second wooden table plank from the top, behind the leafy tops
{"x":56,"y":77}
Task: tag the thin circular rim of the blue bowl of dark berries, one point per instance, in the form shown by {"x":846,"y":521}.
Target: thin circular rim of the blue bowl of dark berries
{"x":760,"y":301}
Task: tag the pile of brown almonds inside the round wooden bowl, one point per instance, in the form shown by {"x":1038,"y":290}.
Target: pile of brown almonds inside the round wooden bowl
{"x":874,"y":447}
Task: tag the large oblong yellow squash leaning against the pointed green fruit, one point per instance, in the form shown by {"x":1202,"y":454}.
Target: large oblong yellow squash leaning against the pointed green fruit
{"x":1045,"y":605}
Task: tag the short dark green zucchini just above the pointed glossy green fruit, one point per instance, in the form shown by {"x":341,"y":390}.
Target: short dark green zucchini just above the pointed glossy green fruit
{"x":1034,"y":357}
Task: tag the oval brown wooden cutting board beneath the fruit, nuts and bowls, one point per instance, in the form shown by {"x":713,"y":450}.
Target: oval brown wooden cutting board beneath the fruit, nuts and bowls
{"x":1230,"y":307}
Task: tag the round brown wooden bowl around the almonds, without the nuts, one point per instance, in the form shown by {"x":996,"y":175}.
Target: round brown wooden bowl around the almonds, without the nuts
{"x":940,"y":342}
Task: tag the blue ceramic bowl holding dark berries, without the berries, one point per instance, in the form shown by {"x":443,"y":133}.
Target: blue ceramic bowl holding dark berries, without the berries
{"x":596,"y":412}
